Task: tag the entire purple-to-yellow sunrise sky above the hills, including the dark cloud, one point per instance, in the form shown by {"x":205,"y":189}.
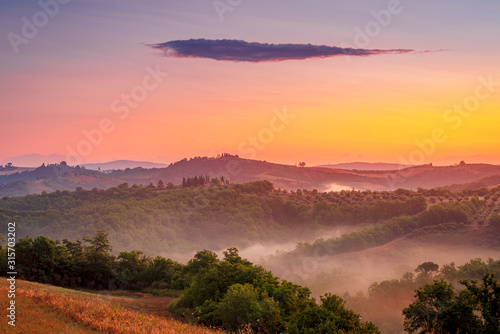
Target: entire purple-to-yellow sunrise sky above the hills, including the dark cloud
{"x":282,"y":81}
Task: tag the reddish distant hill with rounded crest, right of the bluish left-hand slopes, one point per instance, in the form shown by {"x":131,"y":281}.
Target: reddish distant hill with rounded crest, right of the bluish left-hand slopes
{"x":239,"y":170}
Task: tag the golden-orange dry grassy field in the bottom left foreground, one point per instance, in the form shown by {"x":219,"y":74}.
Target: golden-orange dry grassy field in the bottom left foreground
{"x":44,"y":309}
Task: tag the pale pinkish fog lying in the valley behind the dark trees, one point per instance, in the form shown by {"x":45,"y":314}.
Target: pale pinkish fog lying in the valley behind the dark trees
{"x":353,"y":273}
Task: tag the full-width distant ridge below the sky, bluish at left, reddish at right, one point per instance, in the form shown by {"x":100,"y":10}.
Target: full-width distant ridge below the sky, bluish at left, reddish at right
{"x":238,"y":170}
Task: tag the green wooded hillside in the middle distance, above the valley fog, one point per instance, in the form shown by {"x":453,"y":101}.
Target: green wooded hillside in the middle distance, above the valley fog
{"x":177,"y":219}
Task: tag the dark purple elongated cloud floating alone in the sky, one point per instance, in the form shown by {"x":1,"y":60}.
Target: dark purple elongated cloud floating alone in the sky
{"x":236,"y":50}
